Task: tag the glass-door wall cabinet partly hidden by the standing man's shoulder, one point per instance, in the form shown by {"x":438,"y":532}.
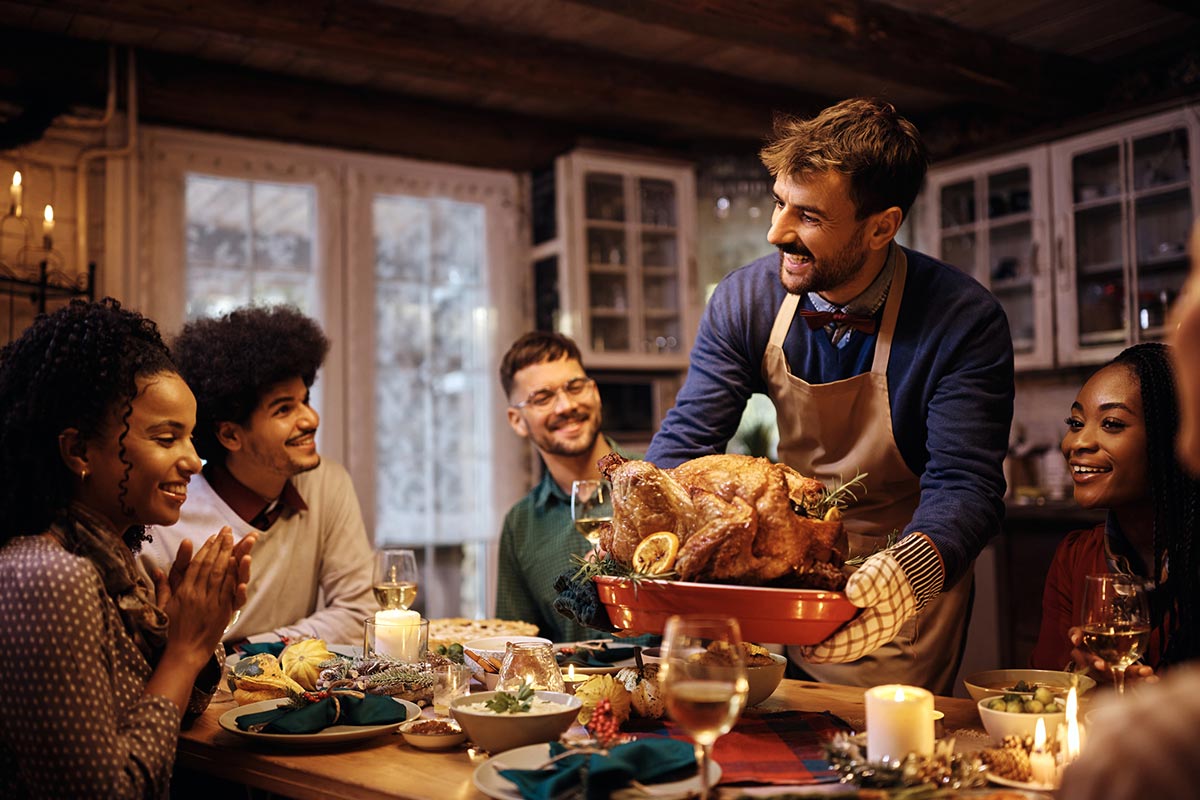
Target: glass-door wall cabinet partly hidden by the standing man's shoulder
{"x":992,"y":219}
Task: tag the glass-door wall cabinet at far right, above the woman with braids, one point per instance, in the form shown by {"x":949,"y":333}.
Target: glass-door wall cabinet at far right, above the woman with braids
{"x":1125,"y":202}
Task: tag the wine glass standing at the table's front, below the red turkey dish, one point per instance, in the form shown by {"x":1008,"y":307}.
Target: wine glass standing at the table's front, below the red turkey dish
{"x":705,"y":679}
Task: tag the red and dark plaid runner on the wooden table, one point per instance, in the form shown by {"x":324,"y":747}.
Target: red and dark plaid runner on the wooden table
{"x":784,"y":748}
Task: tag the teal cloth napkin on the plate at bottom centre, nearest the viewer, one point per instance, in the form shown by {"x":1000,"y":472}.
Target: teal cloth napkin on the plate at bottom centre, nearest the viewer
{"x":650,"y":761}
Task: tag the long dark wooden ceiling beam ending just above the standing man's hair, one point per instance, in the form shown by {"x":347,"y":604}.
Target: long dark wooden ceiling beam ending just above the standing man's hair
{"x":470,"y":65}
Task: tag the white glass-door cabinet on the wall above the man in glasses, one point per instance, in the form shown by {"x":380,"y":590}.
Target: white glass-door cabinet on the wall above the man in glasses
{"x":622,"y":258}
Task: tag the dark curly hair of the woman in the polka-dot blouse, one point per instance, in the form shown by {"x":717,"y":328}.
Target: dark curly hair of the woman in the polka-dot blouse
{"x":74,"y":369}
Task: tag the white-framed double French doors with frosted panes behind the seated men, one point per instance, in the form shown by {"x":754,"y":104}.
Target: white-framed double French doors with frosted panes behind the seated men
{"x":411,"y":269}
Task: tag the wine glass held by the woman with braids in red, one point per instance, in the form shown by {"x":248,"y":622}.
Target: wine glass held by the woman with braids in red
{"x":1117,"y":622}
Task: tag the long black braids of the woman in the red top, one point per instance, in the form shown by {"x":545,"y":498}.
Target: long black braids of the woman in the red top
{"x":1174,"y":495}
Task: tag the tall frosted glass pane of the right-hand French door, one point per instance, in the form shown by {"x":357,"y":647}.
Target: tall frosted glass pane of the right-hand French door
{"x":431,"y":371}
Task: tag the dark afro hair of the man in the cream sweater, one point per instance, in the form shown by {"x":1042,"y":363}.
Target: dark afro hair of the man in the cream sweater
{"x":232,"y":362}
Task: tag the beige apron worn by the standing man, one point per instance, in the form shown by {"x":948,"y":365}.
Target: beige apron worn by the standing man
{"x":835,"y":432}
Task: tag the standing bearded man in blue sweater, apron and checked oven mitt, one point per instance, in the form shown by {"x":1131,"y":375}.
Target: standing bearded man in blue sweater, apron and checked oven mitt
{"x":879,"y":360}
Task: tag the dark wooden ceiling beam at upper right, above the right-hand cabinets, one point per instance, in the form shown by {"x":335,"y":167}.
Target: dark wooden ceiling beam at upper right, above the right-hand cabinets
{"x":880,"y":40}
